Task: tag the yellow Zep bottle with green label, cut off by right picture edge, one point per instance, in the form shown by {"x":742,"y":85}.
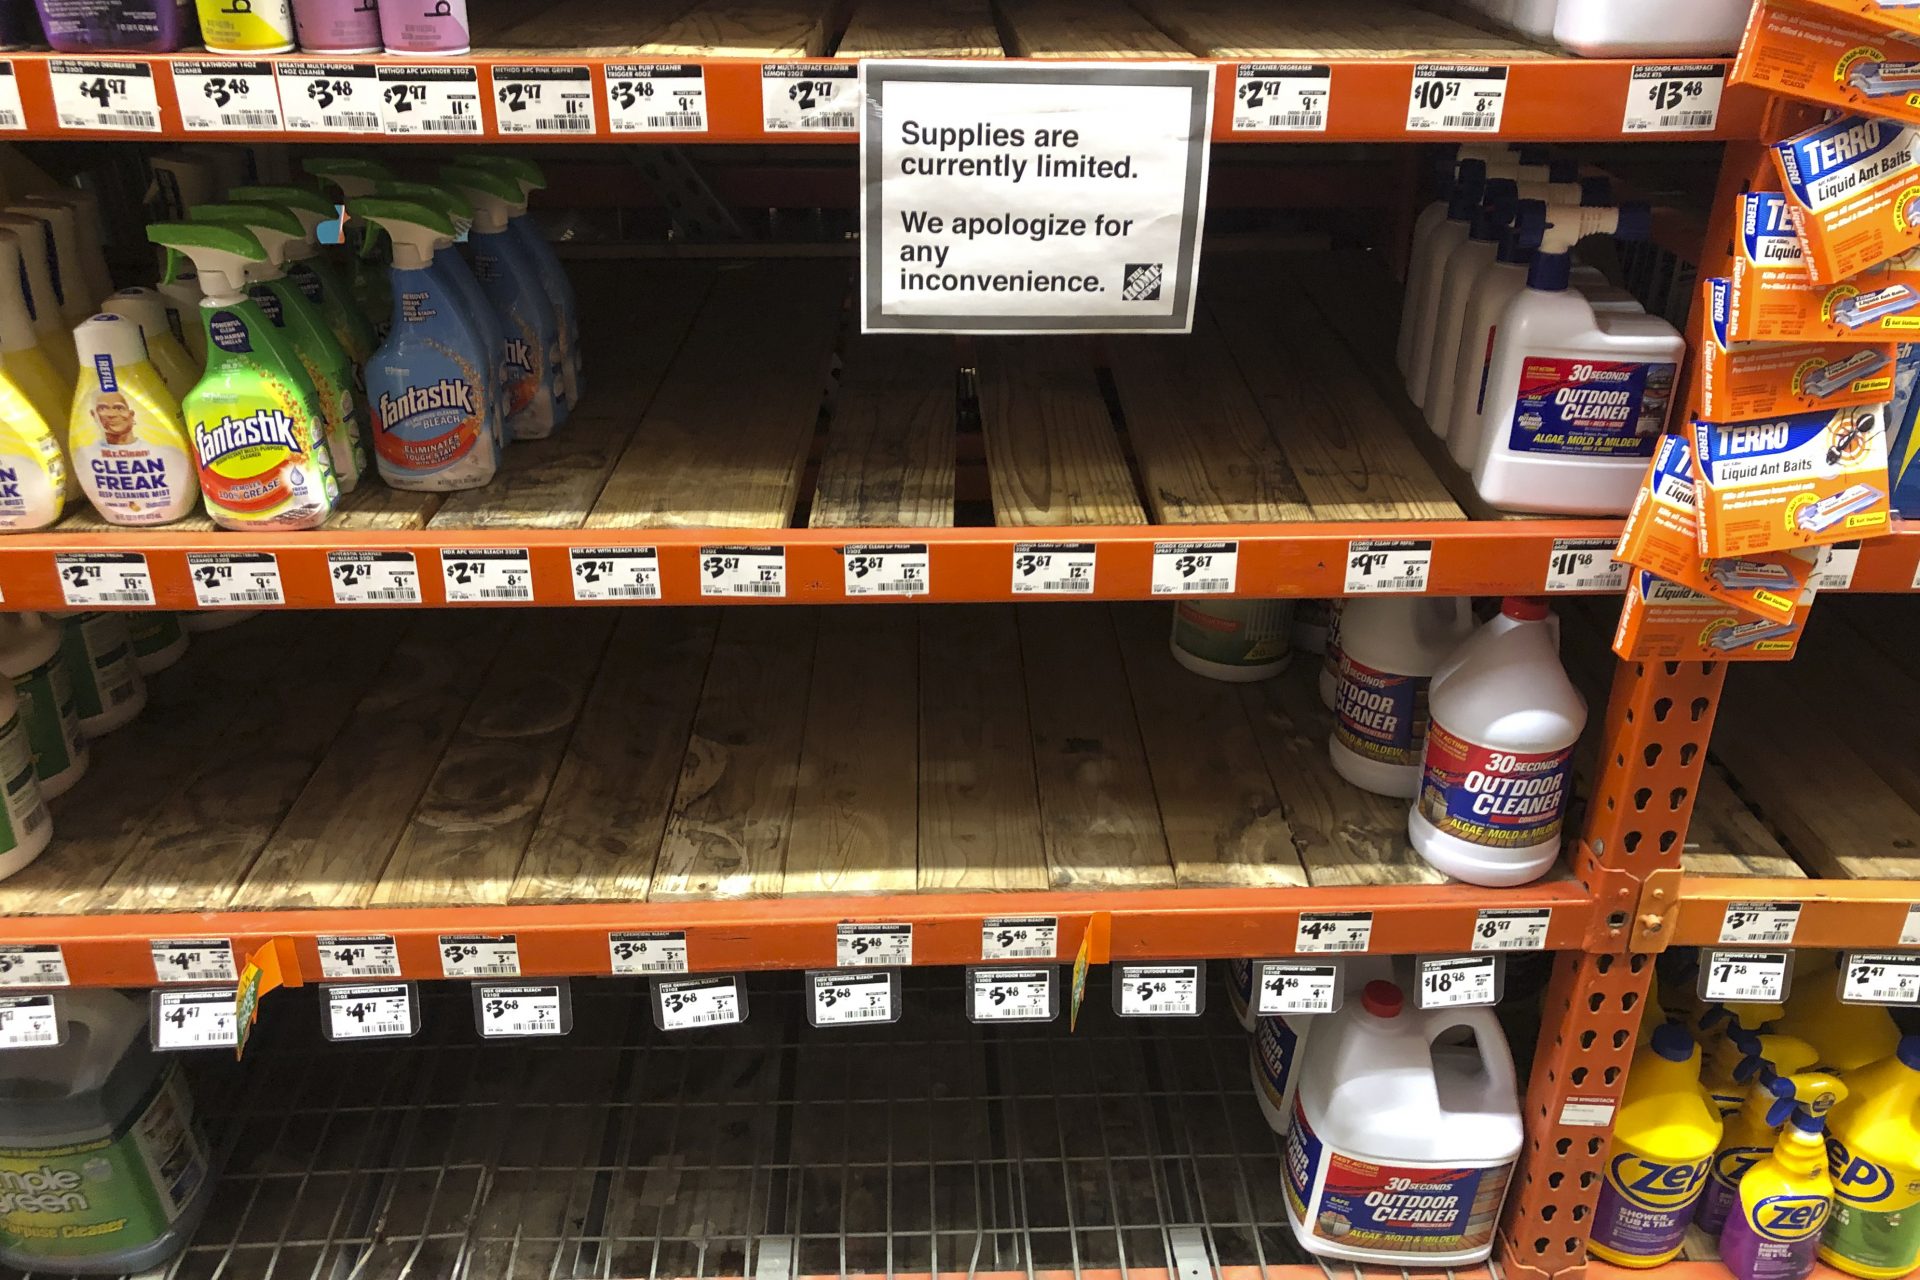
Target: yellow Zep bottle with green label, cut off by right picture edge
{"x":1873,"y":1152}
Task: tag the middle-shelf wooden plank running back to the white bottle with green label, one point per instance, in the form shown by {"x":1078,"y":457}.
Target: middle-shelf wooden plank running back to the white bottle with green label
{"x":1218,"y":807}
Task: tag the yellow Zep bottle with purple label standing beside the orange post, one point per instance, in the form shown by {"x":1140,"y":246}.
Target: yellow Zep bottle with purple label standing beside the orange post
{"x":1664,"y":1141}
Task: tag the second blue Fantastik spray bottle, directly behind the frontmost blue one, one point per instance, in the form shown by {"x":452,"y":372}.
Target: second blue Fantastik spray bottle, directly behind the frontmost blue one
{"x":537,"y":398}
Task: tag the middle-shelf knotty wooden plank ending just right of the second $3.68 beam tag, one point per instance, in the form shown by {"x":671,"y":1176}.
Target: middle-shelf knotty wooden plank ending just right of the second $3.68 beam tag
{"x":734,"y":803}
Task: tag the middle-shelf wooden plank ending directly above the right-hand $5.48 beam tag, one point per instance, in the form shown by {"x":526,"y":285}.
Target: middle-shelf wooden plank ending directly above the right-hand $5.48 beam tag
{"x":980,"y":809}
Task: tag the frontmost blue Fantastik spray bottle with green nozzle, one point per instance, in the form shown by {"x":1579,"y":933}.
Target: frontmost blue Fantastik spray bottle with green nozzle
{"x":427,"y":383}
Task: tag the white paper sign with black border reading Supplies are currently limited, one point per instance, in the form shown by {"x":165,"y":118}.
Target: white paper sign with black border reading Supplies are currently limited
{"x":1032,"y":199}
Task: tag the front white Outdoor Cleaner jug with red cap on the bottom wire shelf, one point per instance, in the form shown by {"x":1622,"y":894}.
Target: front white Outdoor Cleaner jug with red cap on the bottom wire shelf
{"x":1404,"y":1133}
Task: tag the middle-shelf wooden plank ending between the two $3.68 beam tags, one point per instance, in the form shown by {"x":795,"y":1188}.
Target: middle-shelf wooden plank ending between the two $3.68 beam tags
{"x":604,"y":820}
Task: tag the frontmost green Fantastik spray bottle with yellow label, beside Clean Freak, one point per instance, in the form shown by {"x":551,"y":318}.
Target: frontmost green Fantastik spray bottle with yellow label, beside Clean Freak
{"x":254,"y":419}
